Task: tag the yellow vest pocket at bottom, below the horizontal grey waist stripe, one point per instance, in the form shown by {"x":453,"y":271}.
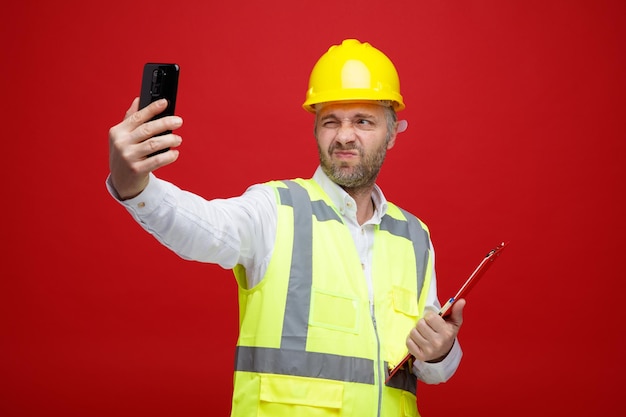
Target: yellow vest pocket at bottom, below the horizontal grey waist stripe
{"x":284,"y":395}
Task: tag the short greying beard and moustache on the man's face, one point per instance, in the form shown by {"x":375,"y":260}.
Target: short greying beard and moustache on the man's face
{"x":362,"y":175}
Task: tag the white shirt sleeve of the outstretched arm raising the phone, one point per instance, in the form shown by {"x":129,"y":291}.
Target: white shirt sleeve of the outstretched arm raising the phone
{"x":228,"y":232}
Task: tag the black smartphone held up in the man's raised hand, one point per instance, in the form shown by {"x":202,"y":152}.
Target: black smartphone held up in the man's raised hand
{"x":159,"y":81}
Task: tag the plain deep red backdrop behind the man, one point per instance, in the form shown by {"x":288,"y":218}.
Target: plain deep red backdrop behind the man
{"x":516,"y":117}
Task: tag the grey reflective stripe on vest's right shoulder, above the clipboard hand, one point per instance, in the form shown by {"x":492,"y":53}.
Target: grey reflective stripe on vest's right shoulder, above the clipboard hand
{"x":411,"y":229}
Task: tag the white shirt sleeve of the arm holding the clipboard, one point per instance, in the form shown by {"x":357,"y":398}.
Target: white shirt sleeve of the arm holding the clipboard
{"x":435,"y":373}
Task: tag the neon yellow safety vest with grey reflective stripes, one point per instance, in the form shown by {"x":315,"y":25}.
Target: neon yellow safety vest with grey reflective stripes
{"x":308,"y":345}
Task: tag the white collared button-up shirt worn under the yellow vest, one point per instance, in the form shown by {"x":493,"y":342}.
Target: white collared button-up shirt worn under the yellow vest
{"x":241,"y":230}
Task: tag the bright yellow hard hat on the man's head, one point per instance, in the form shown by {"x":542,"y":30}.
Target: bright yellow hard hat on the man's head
{"x":353,"y":71}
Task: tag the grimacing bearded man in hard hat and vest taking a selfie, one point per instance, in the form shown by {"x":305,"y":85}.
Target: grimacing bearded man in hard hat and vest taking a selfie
{"x":335,"y":283}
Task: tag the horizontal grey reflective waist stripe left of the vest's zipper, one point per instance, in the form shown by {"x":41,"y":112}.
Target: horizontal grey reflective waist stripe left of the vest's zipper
{"x":306,"y":364}
